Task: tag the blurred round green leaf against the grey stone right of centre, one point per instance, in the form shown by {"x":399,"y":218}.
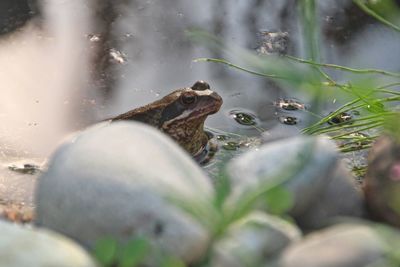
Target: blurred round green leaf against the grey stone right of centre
{"x":279,"y":200}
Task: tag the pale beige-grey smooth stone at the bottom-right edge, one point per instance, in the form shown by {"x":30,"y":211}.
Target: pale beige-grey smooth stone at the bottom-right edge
{"x":342,"y":245}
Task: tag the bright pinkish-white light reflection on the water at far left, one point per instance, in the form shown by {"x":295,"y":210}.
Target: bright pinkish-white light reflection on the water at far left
{"x":45,"y":72}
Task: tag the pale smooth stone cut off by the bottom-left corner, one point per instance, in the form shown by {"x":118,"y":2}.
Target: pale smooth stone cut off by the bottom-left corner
{"x":33,"y":247}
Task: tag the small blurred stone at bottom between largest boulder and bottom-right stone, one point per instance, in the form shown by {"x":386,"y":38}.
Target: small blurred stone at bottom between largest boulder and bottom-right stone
{"x":252,"y":240}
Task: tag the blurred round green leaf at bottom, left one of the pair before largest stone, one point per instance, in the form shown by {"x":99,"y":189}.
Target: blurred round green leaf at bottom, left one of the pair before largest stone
{"x":105,"y":251}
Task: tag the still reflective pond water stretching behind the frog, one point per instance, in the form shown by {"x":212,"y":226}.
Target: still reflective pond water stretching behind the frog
{"x":117,"y":55}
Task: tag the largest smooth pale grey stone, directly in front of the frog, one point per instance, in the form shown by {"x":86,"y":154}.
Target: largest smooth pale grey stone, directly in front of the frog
{"x":125,"y":180}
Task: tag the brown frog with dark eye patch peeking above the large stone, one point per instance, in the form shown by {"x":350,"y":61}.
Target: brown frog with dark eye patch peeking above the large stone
{"x":181,"y":115}
